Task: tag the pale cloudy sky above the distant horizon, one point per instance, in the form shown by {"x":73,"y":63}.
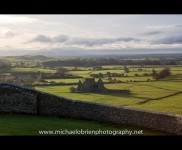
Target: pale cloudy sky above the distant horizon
{"x":26,"y":34}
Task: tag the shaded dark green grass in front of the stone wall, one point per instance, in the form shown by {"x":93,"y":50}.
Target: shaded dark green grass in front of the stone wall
{"x":31,"y":125}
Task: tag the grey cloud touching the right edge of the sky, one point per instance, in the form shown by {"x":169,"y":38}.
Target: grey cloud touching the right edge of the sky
{"x":175,"y":39}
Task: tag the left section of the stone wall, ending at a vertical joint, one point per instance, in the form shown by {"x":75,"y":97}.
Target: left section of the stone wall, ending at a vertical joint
{"x":13,"y":100}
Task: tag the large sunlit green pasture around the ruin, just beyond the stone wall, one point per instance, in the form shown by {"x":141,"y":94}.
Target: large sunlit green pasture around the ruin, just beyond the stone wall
{"x":140,"y":91}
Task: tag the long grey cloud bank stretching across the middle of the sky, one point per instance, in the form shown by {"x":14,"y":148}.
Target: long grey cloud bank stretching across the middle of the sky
{"x":89,"y":42}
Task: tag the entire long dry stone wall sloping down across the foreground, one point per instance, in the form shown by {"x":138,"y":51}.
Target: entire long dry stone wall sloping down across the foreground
{"x":14,"y":99}
